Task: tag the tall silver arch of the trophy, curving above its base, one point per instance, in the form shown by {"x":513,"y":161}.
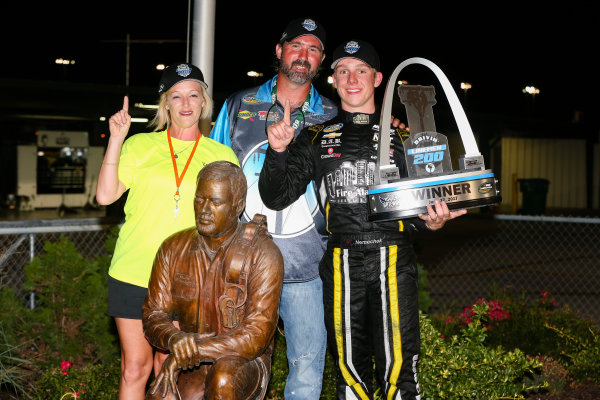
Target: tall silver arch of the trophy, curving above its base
{"x":466,"y":134}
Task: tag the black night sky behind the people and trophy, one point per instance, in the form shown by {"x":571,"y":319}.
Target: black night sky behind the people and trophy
{"x":498,"y":47}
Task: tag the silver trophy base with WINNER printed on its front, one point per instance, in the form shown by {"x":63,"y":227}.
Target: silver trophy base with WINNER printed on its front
{"x":410,"y":197}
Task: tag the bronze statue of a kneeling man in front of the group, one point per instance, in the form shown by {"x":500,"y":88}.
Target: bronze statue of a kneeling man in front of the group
{"x":222,"y":280}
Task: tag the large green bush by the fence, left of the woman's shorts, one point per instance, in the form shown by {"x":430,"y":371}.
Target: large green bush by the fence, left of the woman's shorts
{"x":69,"y":320}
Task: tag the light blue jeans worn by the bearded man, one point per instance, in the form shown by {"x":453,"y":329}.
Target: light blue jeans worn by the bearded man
{"x":301,"y":309}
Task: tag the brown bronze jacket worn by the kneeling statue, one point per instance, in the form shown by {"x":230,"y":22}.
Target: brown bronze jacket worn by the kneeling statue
{"x":185,"y":281}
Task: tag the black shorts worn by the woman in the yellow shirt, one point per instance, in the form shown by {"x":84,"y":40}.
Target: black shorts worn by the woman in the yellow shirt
{"x":125,"y":300}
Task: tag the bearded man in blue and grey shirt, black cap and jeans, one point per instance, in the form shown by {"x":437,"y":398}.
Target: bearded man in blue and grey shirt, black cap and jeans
{"x":298,"y":230}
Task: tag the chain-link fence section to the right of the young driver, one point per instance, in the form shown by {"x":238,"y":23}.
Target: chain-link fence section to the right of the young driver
{"x":479,"y":256}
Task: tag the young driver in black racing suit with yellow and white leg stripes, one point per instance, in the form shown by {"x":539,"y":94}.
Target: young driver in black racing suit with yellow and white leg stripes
{"x":369,"y":271}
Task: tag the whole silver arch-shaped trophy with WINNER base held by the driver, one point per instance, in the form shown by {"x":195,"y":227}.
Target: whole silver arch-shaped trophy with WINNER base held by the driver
{"x":427,"y":154}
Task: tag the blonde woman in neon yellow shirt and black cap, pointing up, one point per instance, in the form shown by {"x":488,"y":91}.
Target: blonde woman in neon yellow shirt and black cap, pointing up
{"x":158,"y":169}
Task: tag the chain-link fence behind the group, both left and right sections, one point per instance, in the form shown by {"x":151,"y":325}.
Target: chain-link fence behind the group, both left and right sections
{"x":468,"y":259}
